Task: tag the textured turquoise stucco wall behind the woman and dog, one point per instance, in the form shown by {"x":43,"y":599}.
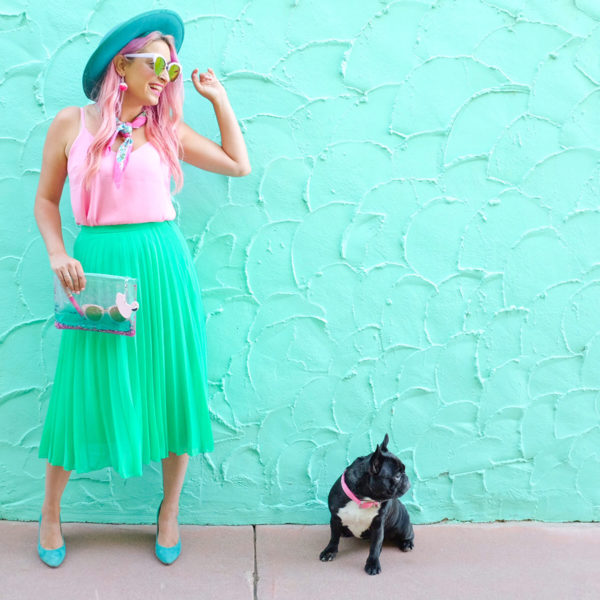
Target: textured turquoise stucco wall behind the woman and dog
{"x":416,"y":251}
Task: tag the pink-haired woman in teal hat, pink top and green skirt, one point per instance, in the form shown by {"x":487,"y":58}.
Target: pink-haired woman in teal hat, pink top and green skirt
{"x":125,"y":401}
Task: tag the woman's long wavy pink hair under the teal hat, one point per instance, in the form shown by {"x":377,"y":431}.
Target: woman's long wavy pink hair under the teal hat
{"x":162,"y":119}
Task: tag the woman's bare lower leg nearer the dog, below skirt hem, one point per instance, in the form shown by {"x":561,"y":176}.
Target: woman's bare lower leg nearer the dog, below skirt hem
{"x":174,"y":468}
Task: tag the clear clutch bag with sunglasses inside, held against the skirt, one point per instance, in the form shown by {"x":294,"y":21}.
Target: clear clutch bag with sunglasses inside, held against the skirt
{"x":108,"y":305}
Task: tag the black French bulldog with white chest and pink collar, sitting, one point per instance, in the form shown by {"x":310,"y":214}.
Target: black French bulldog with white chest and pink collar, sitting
{"x":376,"y":481}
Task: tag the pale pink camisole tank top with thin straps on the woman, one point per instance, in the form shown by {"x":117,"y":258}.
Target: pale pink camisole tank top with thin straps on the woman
{"x":144,"y":195}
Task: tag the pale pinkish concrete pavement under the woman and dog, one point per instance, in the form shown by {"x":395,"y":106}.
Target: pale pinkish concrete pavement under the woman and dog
{"x":483,"y":561}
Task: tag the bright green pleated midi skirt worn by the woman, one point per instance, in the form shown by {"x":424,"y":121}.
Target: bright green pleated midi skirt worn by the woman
{"x":121,"y":401}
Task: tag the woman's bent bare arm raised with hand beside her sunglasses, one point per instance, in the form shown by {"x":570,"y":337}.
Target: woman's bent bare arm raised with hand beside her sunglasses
{"x":231,"y":157}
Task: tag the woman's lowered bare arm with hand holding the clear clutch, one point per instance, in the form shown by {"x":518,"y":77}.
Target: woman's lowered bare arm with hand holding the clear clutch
{"x":52,"y":179}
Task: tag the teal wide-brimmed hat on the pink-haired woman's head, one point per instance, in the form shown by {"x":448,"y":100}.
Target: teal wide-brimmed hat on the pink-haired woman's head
{"x":165,"y":21}
